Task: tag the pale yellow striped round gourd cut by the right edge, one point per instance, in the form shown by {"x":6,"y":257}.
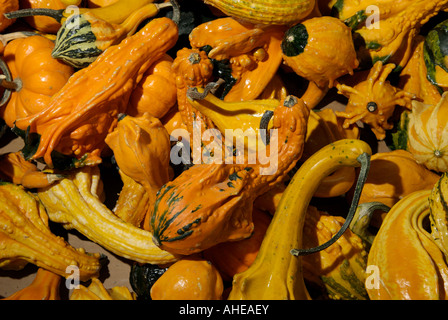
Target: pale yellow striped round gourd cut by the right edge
{"x":427,"y":131}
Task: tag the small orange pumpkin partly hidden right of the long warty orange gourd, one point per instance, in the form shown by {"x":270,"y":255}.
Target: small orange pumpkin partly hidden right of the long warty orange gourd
{"x":156,"y":92}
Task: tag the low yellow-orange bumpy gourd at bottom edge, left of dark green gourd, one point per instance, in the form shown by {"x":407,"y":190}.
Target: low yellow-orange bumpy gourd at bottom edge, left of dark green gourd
{"x":97,"y":291}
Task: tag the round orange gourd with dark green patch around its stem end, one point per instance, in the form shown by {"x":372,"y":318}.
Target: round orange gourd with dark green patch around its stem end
{"x":320,"y":50}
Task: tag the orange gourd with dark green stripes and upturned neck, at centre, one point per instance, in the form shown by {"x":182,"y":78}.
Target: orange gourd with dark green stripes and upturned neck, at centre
{"x":212,"y":202}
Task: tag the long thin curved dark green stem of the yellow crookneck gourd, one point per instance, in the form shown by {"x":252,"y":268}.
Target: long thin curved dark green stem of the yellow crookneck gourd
{"x":364,"y":160}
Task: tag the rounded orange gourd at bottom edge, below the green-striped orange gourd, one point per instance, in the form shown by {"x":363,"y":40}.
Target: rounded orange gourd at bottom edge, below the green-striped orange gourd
{"x":189,"y":279}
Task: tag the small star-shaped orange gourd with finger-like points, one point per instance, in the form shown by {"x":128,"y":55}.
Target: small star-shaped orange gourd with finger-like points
{"x":373,"y":100}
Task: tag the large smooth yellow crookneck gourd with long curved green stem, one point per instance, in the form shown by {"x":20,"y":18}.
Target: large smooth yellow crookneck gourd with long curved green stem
{"x":277,"y":272}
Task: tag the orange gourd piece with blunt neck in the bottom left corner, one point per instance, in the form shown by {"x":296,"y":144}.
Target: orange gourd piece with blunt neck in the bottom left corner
{"x":45,"y":286}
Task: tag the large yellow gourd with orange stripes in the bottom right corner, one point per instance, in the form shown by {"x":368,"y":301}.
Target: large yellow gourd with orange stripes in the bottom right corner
{"x":424,"y":274}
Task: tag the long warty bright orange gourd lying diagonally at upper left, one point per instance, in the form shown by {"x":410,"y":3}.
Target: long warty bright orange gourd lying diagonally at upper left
{"x":76,"y":121}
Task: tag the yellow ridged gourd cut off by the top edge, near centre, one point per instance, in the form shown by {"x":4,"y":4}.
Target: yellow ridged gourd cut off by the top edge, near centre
{"x":280,"y":12}
